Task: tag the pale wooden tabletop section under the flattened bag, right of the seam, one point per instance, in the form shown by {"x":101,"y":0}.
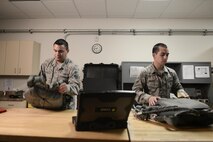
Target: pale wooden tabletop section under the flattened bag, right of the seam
{"x":151,"y":131}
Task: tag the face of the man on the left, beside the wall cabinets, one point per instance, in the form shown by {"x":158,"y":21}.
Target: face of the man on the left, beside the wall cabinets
{"x":60,"y":52}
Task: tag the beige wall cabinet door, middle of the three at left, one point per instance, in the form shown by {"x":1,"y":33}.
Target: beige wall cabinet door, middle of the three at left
{"x":12,"y":58}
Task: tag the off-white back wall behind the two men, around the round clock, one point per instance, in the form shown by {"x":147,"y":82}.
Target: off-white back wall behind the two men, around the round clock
{"x":116,"y":48}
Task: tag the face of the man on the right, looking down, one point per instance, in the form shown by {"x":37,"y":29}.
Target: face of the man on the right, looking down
{"x":161,"y":56}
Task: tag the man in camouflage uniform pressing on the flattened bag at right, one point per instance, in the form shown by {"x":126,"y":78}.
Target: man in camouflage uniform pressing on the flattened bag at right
{"x":156,"y":80}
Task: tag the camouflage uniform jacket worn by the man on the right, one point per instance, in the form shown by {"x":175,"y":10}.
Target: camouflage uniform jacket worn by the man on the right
{"x":155,"y":83}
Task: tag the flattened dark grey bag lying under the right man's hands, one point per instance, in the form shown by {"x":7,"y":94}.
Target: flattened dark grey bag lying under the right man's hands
{"x":176,"y":112}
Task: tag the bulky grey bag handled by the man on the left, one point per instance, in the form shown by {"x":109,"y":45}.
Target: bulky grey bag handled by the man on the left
{"x":41,"y":95}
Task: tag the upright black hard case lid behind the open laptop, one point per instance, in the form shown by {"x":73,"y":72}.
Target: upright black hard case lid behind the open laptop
{"x":100,"y":77}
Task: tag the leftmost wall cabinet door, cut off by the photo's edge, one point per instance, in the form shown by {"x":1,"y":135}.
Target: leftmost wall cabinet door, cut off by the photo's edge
{"x":2,"y":56}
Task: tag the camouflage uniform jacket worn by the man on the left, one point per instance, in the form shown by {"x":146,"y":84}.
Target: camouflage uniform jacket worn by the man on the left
{"x":66,"y":72}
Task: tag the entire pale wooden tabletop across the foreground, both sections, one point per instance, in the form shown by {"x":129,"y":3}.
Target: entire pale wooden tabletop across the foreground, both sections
{"x":32,"y":125}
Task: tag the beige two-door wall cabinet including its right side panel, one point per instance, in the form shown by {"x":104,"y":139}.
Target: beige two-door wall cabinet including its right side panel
{"x":22,"y":58}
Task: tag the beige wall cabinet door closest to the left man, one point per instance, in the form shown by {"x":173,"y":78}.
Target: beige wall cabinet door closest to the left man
{"x":25,"y":58}
